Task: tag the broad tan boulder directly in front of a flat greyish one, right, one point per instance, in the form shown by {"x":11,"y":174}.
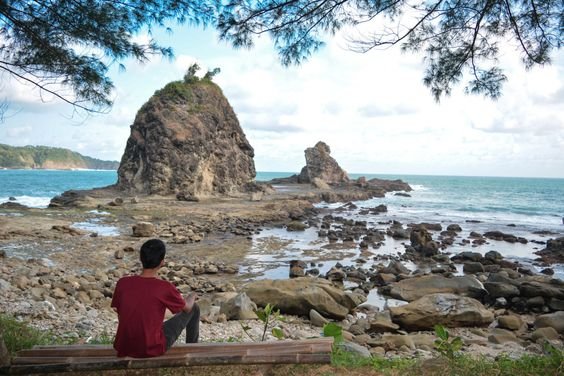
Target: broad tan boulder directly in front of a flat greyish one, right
{"x":446,"y":309}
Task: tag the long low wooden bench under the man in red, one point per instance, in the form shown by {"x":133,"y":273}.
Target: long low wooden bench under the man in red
{"x":76,"y":358}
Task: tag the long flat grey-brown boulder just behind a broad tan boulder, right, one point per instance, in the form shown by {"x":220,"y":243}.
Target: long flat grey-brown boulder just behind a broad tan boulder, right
{"x":414,"y":288}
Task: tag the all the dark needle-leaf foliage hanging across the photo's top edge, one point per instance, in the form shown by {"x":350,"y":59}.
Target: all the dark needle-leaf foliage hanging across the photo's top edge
{"x":65,"y":47}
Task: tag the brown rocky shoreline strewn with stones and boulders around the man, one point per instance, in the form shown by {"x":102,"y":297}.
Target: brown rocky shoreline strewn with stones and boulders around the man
{"x":496,"y":306}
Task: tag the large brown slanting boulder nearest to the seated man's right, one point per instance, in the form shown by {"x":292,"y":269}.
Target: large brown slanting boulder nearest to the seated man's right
{"x":298,"y":296}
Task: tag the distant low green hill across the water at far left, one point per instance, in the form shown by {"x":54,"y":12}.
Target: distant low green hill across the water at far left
{"x":44,"y":157}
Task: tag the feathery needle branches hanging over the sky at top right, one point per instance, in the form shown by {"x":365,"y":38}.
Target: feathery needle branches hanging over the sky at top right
{"x":457,"y":37}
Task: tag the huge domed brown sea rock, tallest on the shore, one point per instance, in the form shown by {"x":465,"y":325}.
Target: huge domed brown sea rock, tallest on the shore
{"x":186,"y":139}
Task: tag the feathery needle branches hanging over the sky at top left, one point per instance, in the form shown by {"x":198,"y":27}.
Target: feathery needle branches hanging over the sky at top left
{"x":70,"y":44}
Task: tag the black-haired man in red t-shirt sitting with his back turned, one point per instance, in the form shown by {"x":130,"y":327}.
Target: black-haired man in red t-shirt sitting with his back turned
{"x":141,"y":301}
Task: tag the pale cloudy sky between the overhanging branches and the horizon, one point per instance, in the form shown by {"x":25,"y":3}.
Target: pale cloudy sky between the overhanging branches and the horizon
{"x":372,"y":109}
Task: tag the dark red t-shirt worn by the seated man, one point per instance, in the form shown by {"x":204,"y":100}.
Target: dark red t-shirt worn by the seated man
{"x":141,"y":304}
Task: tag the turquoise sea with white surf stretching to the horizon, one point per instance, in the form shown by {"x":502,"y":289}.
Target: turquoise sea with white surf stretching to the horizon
{"x":530,"y":203}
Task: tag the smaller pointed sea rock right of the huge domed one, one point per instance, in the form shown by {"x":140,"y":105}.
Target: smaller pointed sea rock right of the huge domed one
{"x":320,"y":165}
